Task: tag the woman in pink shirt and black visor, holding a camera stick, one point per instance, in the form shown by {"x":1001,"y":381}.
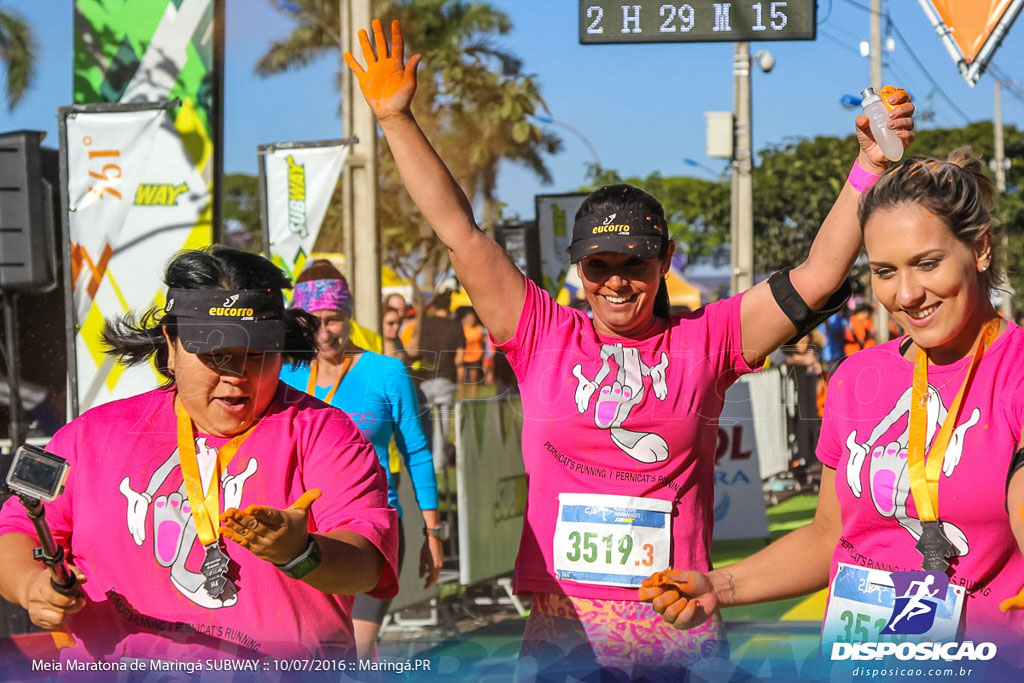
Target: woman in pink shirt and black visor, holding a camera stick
{"x":223,"y":516}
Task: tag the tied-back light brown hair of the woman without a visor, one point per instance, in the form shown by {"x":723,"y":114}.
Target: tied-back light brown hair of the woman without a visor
{"x":955,"y":190}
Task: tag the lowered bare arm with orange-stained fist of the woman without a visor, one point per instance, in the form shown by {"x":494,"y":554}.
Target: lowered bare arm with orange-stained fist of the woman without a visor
{"x":687,"y":600}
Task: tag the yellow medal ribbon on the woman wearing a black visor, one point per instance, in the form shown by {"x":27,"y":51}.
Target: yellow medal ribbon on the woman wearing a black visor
{"x":206,"y":506}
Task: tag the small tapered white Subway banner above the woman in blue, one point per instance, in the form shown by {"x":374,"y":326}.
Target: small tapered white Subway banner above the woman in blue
{"x":297,"y":182}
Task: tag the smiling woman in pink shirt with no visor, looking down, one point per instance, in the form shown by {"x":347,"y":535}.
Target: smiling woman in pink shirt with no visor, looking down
{"x":921,"y":486}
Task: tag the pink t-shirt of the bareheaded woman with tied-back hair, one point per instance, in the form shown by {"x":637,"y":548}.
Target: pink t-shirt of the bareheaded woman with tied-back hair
{"x":865,"y":438}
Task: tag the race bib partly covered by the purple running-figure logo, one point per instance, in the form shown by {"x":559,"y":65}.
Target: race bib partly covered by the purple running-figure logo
{"x":874,"y":607}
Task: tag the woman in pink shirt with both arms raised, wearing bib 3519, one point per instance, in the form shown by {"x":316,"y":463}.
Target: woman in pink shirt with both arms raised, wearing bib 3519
{"x":620,"y":411}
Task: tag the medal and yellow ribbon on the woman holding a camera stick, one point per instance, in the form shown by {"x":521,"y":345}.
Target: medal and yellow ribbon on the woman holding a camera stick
{"x":206,"y":505}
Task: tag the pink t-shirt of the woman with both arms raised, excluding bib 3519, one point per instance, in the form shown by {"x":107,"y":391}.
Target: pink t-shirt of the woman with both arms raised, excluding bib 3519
{"x":623,"y":417}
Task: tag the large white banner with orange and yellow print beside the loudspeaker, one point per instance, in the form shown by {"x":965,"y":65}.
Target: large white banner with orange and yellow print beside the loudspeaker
{"x":136,"y":198}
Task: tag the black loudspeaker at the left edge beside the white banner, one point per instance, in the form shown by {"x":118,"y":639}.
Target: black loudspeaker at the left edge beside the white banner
{"x":28,"y":260}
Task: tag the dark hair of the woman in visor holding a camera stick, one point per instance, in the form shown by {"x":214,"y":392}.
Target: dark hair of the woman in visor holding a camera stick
{"x":135,"y":340}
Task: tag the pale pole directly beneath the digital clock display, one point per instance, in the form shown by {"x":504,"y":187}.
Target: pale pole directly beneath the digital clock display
{"x":743,"y":274}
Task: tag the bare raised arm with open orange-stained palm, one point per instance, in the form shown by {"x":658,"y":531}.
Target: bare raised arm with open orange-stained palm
{"x":491,"y":279}
